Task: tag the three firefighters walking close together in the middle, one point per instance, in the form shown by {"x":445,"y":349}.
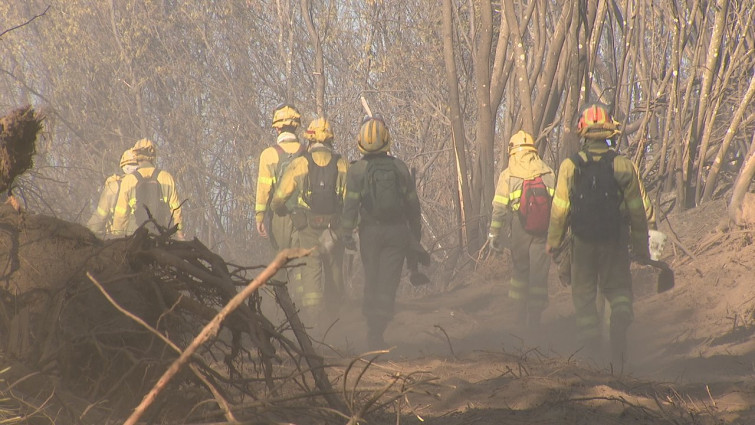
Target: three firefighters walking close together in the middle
{"x":286,"y":214}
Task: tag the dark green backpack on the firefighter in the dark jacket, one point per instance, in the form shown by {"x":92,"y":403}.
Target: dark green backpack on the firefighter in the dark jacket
{"x":383,"y":197}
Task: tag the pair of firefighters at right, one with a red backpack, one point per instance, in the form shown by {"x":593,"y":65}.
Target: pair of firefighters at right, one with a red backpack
{"x":593,"y":243}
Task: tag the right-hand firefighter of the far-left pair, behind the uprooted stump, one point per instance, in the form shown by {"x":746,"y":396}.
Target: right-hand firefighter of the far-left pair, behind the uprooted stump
{"x":124,"y":218}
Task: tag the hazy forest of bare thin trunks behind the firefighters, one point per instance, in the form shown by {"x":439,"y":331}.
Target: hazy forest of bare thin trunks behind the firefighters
{"x":453,"y":78}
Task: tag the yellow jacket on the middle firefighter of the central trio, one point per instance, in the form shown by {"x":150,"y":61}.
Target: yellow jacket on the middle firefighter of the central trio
{"x":293,"y":180}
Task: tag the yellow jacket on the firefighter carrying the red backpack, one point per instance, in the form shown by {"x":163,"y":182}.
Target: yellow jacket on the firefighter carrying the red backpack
{"x":524,"y":165}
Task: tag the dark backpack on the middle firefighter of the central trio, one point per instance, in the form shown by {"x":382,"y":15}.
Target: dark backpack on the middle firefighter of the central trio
{"x":320,"y":186}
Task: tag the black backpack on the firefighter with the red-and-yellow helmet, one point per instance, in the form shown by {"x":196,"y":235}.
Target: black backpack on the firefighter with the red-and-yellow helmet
{"x":595,"y":199}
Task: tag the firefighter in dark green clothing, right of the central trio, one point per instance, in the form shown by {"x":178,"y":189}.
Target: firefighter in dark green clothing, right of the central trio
{"x":381,"y":198}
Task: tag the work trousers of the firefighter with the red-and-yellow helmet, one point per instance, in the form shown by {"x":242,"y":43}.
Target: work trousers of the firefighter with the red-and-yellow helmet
{"x":604,"y":265}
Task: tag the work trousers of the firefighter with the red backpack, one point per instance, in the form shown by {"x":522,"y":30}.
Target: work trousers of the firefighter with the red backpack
{"x":529,"y":279}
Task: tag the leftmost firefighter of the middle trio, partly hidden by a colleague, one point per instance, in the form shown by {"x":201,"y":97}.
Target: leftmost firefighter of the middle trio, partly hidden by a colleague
{"x":278,"y":228}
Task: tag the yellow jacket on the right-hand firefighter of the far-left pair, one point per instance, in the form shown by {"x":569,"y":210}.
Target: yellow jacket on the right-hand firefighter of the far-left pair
{"x":123,"y":218}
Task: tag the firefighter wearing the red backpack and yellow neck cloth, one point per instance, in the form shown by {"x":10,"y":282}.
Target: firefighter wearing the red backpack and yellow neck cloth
{"x":529,"y":280}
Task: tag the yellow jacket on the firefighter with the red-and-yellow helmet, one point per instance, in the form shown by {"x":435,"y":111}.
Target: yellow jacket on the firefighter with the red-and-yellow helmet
{"x":625,"y":174}
